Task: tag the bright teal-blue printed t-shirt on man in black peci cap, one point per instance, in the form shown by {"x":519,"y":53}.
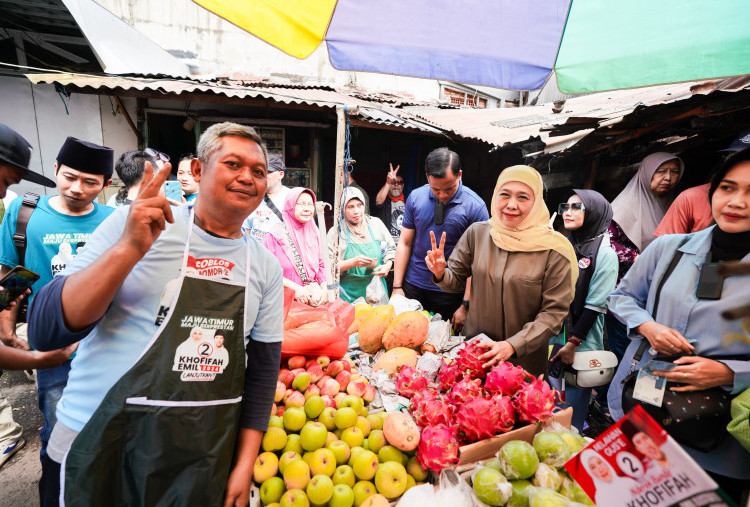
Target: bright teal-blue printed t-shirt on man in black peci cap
{"x":53,"y":238}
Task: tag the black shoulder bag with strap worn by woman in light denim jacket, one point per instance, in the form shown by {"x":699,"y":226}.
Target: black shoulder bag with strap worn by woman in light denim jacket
{"x":696,"y":419}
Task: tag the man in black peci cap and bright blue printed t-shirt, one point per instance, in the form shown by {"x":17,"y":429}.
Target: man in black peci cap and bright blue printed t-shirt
{"x":56,"y":232}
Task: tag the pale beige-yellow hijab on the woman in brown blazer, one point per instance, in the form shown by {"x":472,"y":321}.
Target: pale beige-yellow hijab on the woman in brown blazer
{"x":533,"y":234}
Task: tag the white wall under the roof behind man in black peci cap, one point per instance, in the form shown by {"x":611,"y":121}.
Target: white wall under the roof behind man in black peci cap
{"x":39,"y":114}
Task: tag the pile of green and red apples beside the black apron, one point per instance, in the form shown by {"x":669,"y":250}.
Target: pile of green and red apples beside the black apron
{"x":324,"y":448}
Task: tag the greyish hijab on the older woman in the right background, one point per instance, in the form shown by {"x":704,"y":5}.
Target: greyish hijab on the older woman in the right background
{"x":637,"y":209}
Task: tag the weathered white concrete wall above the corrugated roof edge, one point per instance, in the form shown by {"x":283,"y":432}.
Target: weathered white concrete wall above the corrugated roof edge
{"x":220,"y":47}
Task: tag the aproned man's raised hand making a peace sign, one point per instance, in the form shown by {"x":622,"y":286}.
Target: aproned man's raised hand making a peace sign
{"x":149,"y":212}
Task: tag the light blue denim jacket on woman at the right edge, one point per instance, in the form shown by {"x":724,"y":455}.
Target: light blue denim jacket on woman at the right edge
{"x":697,"y":320}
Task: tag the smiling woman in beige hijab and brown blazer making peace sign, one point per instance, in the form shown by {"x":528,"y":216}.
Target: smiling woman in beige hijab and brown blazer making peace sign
{"x":523,"y":273}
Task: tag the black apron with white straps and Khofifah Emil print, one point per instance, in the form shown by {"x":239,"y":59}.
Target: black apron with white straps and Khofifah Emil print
{"x":165,"y":432}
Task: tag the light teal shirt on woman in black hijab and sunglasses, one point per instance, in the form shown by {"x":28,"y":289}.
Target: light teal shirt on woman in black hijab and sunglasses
{"x":602,"y":284}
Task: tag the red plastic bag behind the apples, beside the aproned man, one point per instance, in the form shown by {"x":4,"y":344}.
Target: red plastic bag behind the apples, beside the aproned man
{"x":320,"y":331}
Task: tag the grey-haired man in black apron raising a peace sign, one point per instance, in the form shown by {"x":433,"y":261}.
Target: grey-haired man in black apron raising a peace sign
{"x":182,"y":421}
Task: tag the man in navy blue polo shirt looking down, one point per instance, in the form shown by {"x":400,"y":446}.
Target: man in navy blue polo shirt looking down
{"x":444,"y":205}
